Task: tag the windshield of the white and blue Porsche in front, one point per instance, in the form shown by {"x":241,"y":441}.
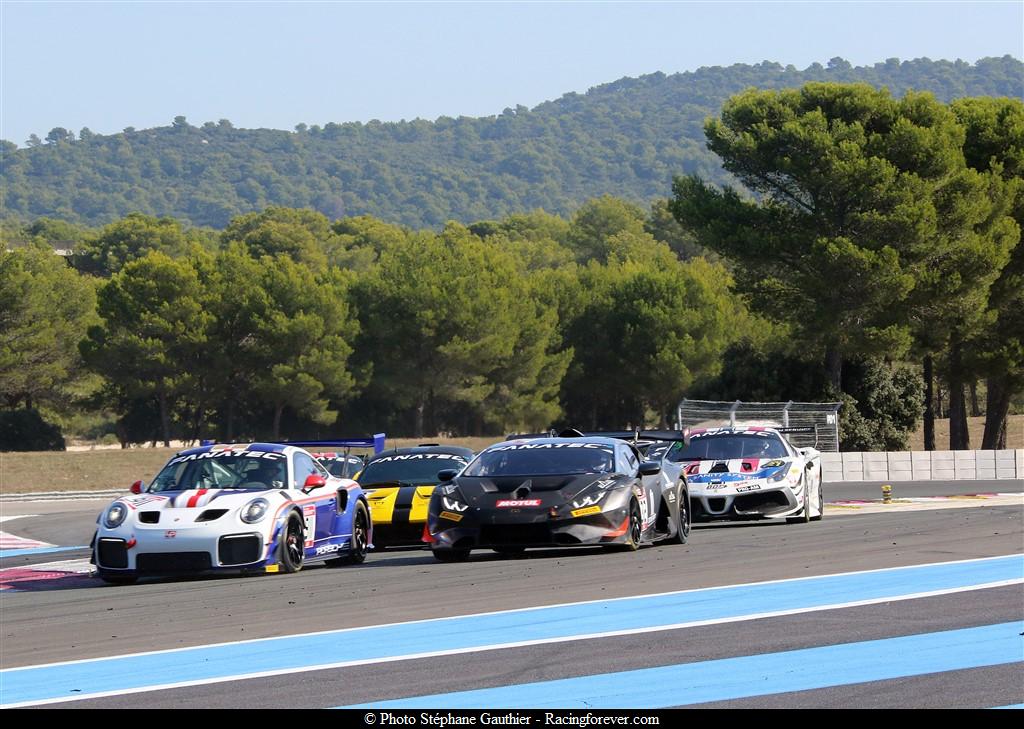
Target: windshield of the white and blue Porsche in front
{"x":225,"y":469}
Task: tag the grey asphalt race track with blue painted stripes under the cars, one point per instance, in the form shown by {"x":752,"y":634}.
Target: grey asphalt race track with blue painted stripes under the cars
{"x":911,"y":605}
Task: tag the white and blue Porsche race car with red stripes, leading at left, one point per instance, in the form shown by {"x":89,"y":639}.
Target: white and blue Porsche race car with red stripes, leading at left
{"x":255,"y":507}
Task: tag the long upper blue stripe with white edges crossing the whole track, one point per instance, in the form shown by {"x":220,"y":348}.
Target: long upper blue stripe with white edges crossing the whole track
{"x":289,"y":654}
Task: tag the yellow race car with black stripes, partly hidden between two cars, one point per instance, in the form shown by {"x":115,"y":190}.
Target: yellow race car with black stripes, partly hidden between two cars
{"x":399,"y":485}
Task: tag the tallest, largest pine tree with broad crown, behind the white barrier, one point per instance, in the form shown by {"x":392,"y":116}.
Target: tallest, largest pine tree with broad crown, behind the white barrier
{"x":869,"y":227}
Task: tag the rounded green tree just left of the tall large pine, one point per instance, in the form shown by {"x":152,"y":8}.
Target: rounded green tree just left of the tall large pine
{"x":647,"y":333}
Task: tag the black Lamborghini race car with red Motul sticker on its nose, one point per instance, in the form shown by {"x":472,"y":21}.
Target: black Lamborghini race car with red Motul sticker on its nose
{"x":556,"y":492}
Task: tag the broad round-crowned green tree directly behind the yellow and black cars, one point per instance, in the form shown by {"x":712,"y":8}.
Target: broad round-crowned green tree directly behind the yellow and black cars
{"x":445,"y":319}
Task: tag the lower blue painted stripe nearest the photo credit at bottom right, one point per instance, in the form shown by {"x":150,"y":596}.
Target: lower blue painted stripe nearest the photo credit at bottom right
{"x":751,"y":676}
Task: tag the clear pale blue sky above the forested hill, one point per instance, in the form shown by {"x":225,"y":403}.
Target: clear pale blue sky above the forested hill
{"x":112,"y":65}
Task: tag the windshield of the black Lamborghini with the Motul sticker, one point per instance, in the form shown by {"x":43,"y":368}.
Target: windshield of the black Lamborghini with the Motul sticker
{"x":543,"y":460}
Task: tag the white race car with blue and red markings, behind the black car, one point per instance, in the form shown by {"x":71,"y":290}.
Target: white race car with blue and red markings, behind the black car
{"x":749,"y":473}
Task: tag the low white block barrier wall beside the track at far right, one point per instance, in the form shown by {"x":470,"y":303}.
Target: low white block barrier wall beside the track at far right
{"x":923,"y":465}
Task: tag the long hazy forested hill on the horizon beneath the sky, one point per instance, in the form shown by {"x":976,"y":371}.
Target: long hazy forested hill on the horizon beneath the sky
{"x":627,"y":139}
